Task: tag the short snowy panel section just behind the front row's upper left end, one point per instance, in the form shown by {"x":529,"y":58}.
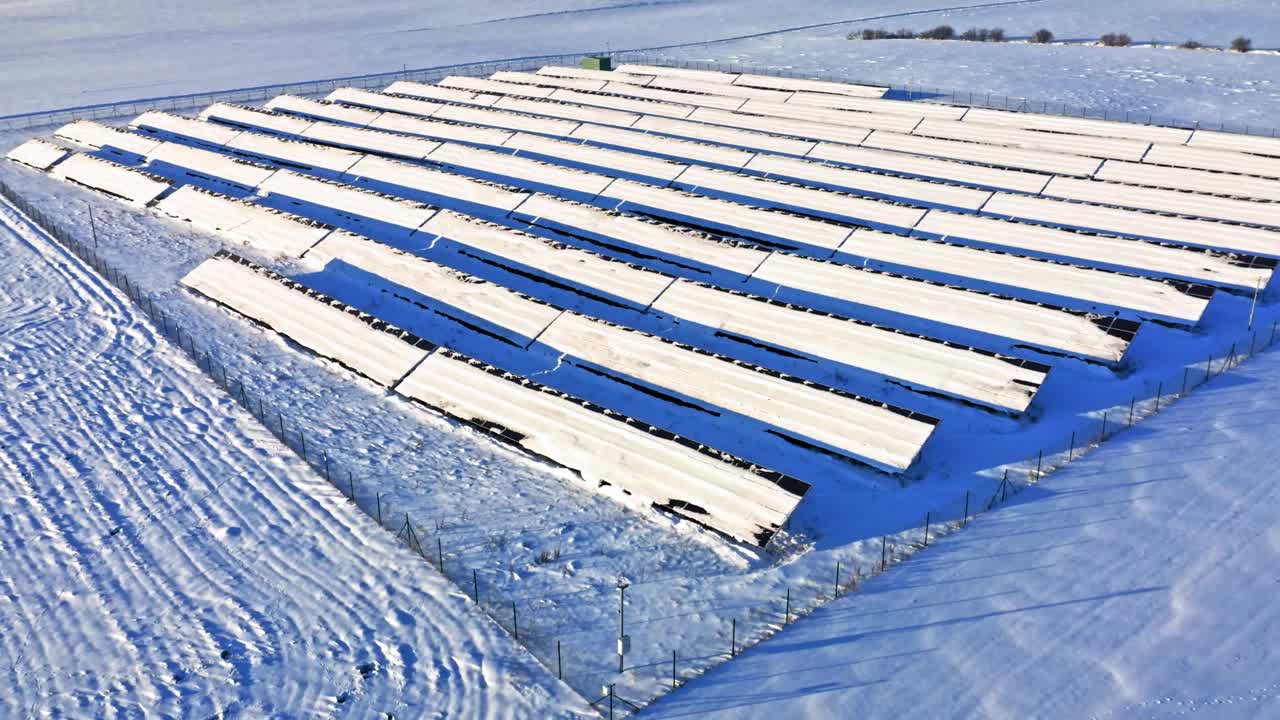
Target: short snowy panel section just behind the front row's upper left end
{"x":266,"y":230}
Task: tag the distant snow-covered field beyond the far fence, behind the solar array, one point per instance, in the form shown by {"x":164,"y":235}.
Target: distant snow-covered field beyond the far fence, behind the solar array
{"x":61,"y":54}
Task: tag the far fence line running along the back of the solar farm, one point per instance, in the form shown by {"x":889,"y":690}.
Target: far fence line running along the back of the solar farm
{"x":313,"y":88}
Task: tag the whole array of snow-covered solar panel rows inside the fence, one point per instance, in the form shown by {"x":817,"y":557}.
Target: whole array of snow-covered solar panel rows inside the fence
{"x":770,"y":221}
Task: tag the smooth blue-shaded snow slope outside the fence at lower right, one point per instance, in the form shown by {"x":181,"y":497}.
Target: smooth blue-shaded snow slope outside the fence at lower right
{"x":1130,"y":585}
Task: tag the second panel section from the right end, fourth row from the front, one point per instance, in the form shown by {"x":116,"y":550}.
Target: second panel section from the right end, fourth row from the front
{"x":579,"y":220}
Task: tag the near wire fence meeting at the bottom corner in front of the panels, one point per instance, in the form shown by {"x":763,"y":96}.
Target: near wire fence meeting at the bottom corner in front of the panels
{"x":538,"y":635}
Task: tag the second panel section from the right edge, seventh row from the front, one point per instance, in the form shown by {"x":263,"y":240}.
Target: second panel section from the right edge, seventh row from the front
{"x":861,"y":181}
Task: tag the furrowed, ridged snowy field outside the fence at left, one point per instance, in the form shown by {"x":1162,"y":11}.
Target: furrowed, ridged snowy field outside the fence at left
{"x":163,"y":555}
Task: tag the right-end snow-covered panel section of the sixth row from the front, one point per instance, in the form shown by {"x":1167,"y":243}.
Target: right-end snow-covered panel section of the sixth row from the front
{"x":1098,"y":249}
